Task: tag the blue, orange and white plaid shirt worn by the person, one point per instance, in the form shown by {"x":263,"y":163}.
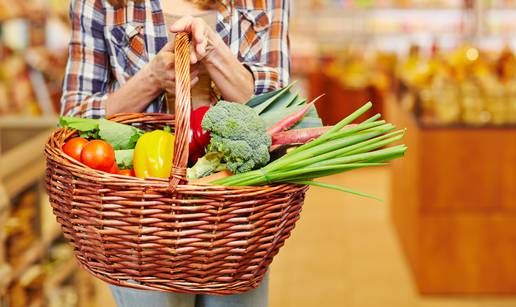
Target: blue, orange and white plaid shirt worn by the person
{"x":109,"y":45}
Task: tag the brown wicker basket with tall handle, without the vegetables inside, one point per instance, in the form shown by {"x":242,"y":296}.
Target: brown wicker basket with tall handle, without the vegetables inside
{"x":168,"y":235}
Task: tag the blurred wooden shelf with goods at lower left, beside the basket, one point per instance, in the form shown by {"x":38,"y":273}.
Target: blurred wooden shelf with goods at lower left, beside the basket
{"x":37,"y":267}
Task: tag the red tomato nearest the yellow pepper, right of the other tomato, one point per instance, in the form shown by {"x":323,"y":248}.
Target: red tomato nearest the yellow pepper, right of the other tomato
{"x":98,"y":155}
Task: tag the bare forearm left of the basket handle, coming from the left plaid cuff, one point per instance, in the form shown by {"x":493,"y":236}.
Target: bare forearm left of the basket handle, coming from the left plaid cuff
{"x":134,"y":95}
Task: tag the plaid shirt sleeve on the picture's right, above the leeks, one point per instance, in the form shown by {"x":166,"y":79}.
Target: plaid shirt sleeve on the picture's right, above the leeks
{"x":273,"y":70}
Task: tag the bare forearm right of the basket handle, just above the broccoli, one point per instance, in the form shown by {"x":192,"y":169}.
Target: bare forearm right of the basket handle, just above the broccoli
{"x":232,"y":78}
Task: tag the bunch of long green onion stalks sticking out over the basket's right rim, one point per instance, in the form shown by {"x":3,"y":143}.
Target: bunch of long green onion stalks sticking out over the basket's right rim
{"x":338,"y":150}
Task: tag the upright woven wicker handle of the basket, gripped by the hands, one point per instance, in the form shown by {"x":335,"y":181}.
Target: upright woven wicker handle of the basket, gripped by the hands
{"x":183,"y":108}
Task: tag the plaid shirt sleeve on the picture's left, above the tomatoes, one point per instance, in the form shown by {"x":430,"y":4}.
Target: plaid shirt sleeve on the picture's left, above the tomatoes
{"x":86,"y":80}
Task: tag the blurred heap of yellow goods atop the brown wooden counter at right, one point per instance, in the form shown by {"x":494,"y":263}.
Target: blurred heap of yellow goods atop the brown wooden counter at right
{"x":465,"y":86}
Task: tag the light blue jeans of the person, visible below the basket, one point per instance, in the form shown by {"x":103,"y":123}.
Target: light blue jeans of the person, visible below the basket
{"x":127,"y":297}
